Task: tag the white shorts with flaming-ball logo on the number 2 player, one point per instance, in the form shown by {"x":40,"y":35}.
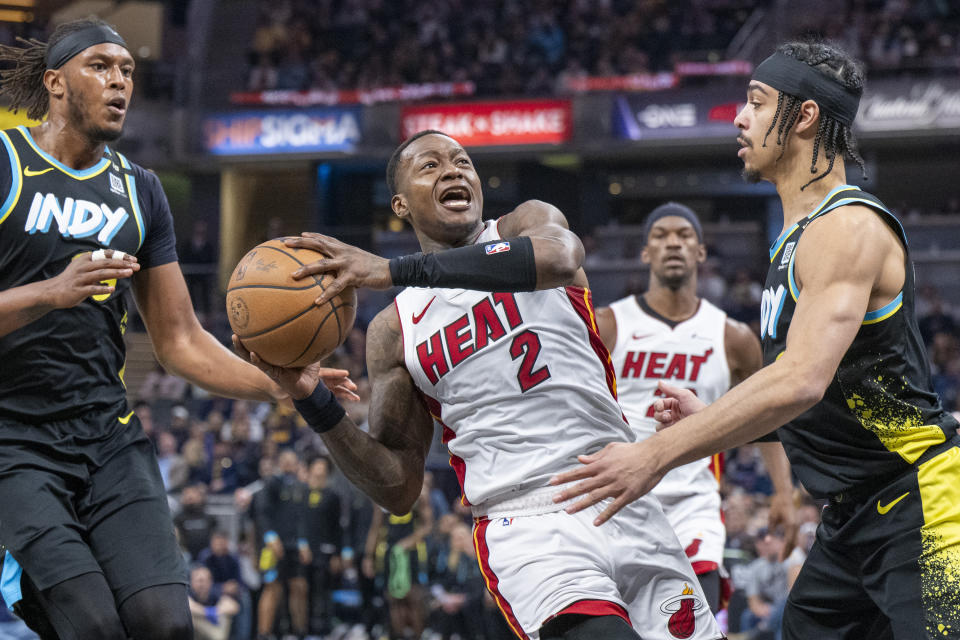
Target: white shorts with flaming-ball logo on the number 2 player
{"x":542,"y":565}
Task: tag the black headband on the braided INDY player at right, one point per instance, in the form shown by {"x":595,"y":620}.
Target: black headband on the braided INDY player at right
{"x":803,"y":81}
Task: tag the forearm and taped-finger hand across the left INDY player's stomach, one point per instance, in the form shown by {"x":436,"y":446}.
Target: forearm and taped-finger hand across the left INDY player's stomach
{"x":83,"y":277}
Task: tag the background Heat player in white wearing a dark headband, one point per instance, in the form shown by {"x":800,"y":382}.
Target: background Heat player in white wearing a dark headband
{"x":670,"y":336}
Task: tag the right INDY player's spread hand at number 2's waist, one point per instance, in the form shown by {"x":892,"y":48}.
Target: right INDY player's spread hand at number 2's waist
{"x":622,"y":471}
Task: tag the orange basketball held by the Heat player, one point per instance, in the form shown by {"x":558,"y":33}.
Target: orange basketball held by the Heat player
{"x":274,"y":315}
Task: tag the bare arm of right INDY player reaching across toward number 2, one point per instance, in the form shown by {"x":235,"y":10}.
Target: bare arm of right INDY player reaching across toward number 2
{"x":839,"y":264}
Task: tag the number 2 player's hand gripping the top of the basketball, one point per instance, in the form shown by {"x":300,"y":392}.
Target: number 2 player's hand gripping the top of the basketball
{"x":351,"y":266}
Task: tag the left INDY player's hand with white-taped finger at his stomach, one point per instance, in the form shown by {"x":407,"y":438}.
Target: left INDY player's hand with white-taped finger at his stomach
{"x":86,"y":276}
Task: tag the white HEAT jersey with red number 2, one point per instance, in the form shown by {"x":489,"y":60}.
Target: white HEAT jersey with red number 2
{"x":520,"y":382}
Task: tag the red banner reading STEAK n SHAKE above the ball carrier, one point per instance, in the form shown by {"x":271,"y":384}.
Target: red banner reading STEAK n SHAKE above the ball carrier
{"x":493,"y":123}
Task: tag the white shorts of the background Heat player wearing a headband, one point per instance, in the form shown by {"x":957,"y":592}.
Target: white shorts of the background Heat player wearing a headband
{"x":696,"y":519}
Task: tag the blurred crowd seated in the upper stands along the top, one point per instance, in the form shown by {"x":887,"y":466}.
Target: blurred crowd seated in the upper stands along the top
{"x":536,"y":47}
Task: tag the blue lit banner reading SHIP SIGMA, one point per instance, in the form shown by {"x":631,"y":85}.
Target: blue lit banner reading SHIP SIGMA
{"x":261,"y":132}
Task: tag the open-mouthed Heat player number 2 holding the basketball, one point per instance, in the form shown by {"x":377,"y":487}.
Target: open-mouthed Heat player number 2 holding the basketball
{"x":495,"y":339}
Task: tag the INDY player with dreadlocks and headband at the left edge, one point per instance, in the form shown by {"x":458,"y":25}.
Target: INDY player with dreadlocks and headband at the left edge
{"x":89,"y":544}
